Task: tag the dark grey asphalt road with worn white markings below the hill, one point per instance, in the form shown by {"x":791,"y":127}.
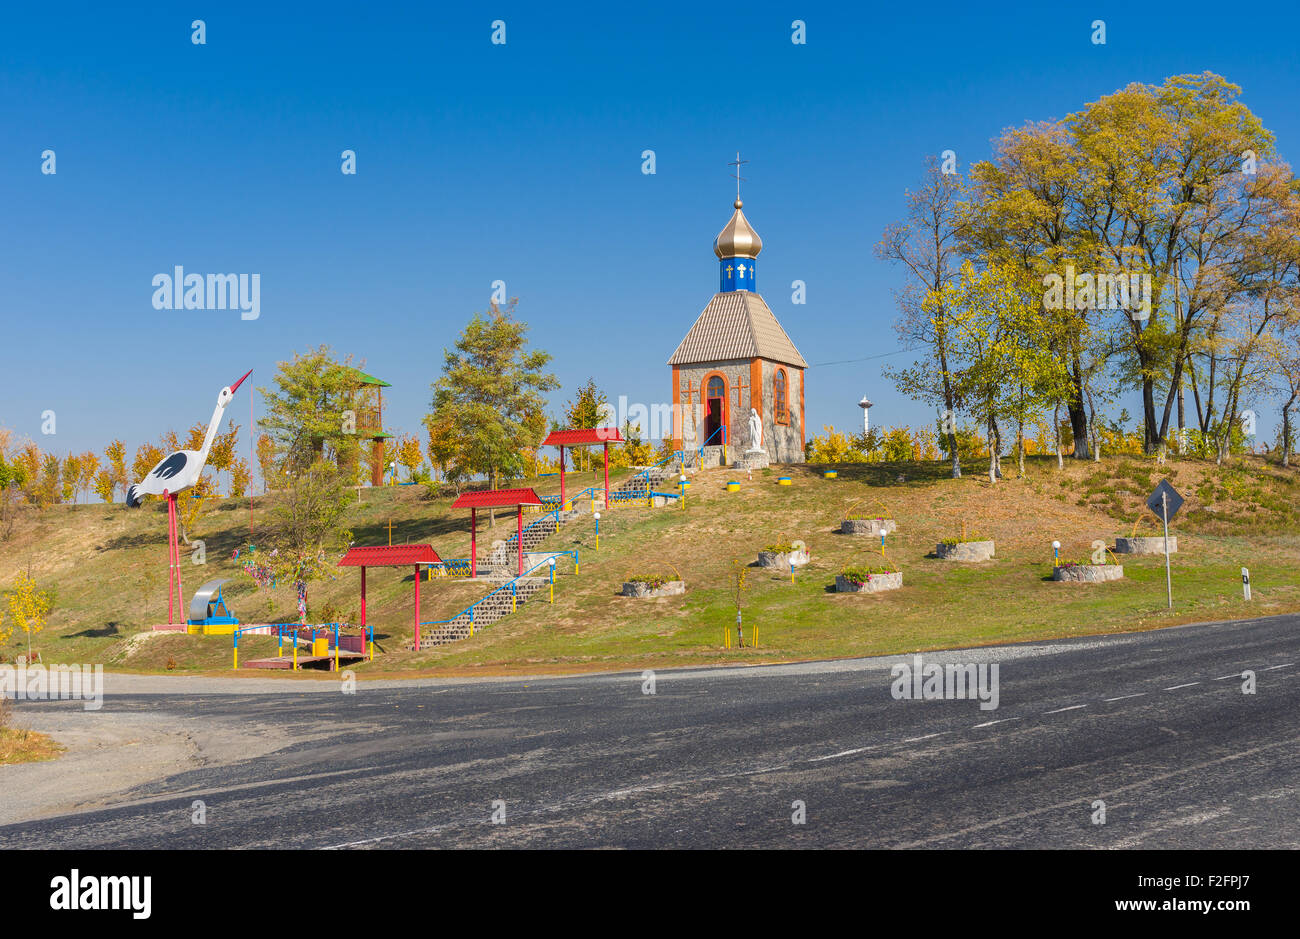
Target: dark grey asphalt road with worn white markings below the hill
{"x":1155,"y":725}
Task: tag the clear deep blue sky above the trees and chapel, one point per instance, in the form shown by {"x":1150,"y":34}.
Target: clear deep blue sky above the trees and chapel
{"x":518,"y":163}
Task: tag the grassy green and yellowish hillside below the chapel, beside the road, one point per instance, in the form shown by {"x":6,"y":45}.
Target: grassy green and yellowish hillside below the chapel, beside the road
{"x":107,"y":568}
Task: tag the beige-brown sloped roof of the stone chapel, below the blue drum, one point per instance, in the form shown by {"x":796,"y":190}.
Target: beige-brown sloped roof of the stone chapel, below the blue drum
{"x":736,"y":324}
